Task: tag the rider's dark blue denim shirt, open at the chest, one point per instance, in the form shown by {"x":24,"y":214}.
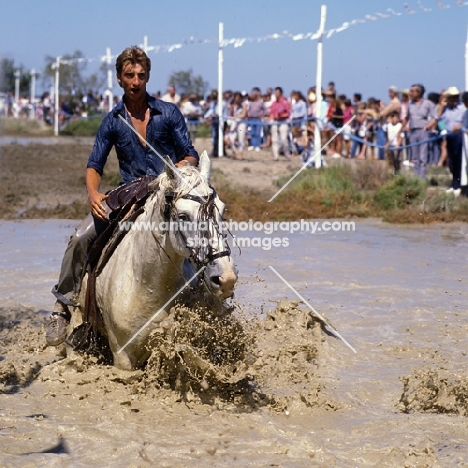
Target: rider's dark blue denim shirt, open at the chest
{"x":166,"y":133}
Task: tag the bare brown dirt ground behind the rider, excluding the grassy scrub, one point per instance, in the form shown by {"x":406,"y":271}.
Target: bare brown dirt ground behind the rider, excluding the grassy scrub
{"x":47,"y":180}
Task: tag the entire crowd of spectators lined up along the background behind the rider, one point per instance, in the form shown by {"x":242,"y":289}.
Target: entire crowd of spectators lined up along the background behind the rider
{"x":406,"y":129}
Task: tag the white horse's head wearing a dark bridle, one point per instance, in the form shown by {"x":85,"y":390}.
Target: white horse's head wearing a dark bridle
{"x":195,"y":212}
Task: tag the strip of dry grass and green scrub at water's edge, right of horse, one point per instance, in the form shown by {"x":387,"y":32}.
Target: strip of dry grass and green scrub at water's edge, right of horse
{"x":346,"y":191}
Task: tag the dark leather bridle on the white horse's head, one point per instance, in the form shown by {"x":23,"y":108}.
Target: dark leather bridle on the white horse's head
{"x":206,"y":215}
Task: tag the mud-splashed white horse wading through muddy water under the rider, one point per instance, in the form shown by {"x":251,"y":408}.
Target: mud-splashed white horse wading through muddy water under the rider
{"x":149,"y":265}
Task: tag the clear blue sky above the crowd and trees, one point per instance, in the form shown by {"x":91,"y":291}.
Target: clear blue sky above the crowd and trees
{"x":426,"y":47}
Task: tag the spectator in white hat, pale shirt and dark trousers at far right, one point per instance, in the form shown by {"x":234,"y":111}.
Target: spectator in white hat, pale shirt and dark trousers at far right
{"x":452,"y":114}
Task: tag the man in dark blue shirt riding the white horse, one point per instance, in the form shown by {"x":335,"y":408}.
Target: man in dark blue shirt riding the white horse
{"x":137,"y":126}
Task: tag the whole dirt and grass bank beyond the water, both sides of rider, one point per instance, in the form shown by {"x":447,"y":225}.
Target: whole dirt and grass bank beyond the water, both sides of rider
{"x":46,"y":180}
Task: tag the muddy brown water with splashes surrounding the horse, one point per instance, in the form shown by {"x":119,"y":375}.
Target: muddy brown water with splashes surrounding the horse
{"x":397,"y":294}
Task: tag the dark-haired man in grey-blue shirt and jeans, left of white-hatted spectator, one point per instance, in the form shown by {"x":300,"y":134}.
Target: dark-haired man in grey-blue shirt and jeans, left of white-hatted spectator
{"x":421,"y":119}
